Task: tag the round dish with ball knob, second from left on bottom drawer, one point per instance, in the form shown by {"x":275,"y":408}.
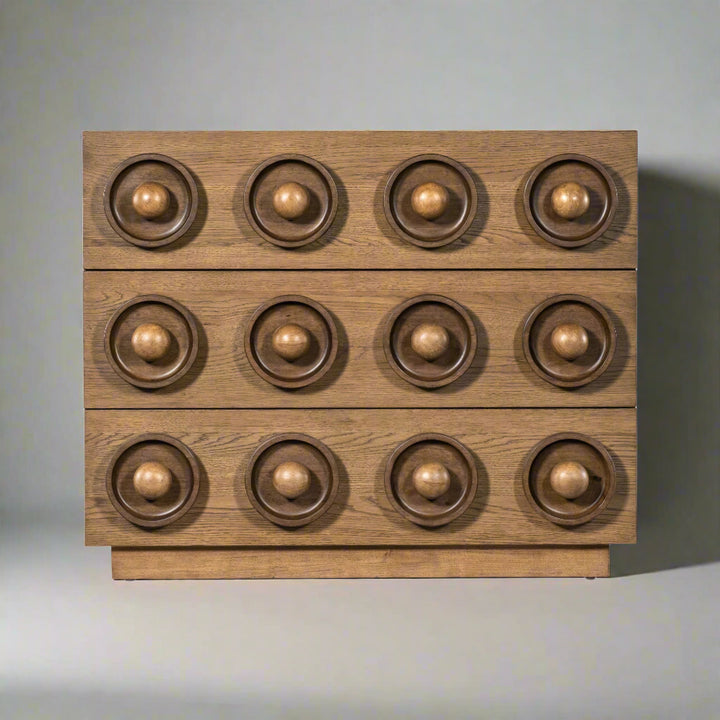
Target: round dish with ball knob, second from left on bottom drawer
{"x":292,"y":479}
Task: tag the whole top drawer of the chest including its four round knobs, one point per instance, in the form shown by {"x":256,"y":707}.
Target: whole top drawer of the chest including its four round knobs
{"x":359,"y":200}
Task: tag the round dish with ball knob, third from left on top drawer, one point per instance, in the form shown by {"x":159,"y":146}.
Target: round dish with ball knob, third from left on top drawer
{"x":430,"y":200}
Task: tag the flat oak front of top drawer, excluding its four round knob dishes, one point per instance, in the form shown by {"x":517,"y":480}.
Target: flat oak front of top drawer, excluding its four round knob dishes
{"x":361,"y":163}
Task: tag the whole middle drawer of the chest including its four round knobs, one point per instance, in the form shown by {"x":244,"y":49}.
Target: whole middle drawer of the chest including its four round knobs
{"x":237,"y":339}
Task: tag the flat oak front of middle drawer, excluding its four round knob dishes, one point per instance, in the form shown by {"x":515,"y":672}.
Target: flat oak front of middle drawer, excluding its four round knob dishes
{"x":361,"y":302}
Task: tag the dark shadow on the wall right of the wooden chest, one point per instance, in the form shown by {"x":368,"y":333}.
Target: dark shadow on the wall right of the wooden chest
{"x":678,"y":378}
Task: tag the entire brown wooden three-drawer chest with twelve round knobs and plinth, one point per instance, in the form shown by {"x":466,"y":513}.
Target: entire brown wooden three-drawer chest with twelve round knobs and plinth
{"x":360,"y":354}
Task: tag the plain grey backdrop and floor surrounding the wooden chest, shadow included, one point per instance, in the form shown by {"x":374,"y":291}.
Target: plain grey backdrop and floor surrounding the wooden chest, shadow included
{"x":642,"y":644}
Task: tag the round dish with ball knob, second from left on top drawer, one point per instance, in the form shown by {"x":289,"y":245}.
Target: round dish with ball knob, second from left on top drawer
{"x":291,"y":200}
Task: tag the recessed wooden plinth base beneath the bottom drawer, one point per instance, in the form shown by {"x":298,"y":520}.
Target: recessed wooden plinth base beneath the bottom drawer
{"x":381,"y":562}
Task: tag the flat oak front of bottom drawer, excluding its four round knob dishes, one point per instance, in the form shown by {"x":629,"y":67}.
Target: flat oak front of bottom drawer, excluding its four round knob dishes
{"x":362,"y":442}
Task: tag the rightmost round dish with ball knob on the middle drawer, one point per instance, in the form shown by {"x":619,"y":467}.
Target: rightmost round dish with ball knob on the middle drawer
{"x":569,"y":340}
